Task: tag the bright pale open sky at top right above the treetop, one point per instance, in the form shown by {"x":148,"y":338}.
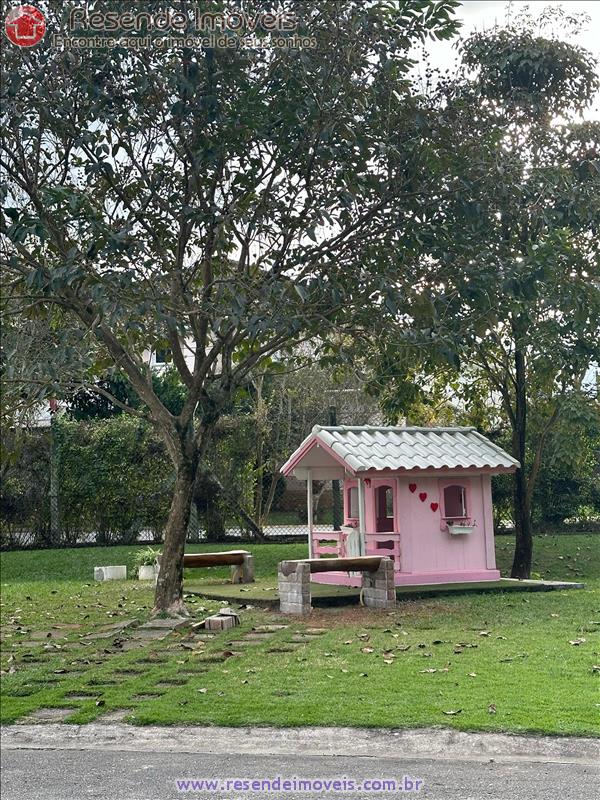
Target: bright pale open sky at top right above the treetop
{"x":482,"y":14}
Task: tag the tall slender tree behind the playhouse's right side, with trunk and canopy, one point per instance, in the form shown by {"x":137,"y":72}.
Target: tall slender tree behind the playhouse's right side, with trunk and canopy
{"x":512,"y":295}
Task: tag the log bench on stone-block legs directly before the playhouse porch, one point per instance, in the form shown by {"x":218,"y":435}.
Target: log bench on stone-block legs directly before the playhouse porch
{"x":378,"y":589}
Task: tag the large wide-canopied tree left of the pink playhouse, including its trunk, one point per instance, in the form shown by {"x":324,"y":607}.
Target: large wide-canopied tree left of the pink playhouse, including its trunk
{"x":239,"y":199}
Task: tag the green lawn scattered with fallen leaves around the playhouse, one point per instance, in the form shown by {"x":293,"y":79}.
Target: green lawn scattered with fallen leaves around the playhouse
{"x":502,"y":660}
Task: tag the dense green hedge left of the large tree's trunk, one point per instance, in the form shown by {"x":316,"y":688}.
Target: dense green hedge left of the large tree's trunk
{"x":115,"y":479}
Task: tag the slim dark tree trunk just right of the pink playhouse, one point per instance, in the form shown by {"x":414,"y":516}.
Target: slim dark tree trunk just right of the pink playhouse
{"x":521,"y":567}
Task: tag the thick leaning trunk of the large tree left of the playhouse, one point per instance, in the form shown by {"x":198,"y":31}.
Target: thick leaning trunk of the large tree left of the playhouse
{"x":169,"y":587}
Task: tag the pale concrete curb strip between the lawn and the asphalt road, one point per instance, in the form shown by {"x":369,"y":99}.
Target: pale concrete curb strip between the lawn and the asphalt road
{"x":362,"y":743}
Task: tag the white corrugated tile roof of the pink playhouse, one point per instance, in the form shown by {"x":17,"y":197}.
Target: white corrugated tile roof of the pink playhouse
{"x":364,"y":448}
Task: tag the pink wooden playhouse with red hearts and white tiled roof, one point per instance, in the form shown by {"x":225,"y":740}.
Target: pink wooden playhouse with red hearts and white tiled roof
{"x":420,"y":495}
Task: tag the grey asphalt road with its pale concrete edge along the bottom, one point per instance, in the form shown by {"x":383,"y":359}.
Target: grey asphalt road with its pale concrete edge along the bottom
{"x":72,"y":770}
